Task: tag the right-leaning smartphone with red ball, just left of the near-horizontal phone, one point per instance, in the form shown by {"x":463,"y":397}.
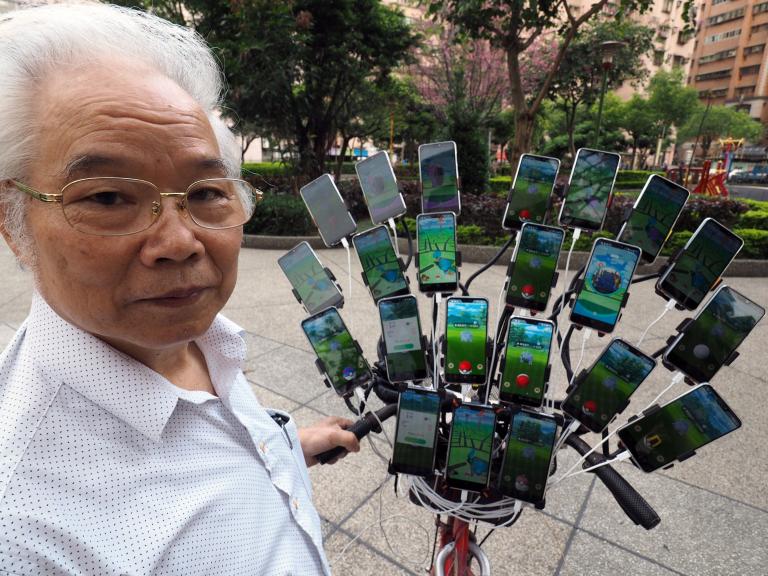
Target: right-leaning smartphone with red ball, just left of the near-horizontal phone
{"x":604,"y":391}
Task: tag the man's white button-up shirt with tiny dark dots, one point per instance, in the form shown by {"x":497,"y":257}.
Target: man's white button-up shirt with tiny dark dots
{"x":106,"y":468}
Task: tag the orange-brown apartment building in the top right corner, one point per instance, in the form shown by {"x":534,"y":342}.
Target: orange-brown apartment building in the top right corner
{"x":729,"y":65}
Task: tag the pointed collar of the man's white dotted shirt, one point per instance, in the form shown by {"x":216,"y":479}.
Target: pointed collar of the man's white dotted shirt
{"x":121,"y":385}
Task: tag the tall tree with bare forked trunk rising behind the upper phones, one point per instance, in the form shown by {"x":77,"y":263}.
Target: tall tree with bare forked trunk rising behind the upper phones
{"x":513,"y":26}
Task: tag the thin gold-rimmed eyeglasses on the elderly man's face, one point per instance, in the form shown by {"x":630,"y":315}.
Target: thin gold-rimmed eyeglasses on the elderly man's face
{"x":120,"y":206}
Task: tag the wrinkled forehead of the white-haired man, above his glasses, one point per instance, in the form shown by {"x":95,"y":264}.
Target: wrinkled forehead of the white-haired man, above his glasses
{"x":113,"y":116}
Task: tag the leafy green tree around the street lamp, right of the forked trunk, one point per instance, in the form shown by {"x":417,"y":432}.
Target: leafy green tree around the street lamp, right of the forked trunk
{"x":579,"y":78}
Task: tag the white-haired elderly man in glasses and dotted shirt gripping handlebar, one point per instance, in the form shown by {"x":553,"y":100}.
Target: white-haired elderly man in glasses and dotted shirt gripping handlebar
{"x":130,"y":441}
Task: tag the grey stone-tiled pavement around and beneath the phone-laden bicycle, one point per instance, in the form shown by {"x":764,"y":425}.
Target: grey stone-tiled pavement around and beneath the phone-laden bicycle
{"x":714,"y":507}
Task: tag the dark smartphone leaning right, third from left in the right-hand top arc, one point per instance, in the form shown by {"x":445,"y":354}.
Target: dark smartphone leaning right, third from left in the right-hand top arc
{"x":653,"y":216}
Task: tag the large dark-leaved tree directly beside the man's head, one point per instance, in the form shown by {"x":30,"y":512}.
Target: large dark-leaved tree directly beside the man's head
{"x":298,"y":70}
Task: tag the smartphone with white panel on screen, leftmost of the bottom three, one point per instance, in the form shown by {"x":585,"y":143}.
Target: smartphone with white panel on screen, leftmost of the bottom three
{"x":418,"y":415}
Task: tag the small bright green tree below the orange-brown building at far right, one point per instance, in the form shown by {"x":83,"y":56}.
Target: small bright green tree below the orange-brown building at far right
{"x":719,"y":122}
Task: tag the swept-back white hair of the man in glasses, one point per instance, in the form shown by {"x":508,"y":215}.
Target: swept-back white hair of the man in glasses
{"x":33,"y":41}
